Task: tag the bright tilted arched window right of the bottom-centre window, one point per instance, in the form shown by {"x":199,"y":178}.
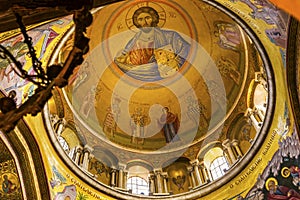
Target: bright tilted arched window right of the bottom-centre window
{"x":218,"y":167}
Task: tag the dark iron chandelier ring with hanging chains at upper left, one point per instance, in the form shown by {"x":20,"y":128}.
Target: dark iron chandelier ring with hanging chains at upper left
{"x":45,"y":79}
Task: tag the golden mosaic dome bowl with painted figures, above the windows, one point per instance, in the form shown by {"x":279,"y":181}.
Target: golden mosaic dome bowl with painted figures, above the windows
{"x":196,"y":75}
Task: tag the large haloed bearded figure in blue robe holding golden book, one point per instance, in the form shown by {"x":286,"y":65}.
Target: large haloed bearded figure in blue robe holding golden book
{"x":152,"y":53}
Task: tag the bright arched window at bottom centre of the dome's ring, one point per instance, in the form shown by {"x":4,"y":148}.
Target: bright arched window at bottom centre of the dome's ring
{"x":138,"y":185}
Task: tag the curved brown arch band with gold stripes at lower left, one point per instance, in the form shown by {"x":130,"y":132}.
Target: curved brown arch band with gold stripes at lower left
{"x":31,"y":168}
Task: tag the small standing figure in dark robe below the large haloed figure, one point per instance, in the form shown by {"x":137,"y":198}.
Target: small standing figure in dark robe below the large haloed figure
{"x":170,"y":123}
